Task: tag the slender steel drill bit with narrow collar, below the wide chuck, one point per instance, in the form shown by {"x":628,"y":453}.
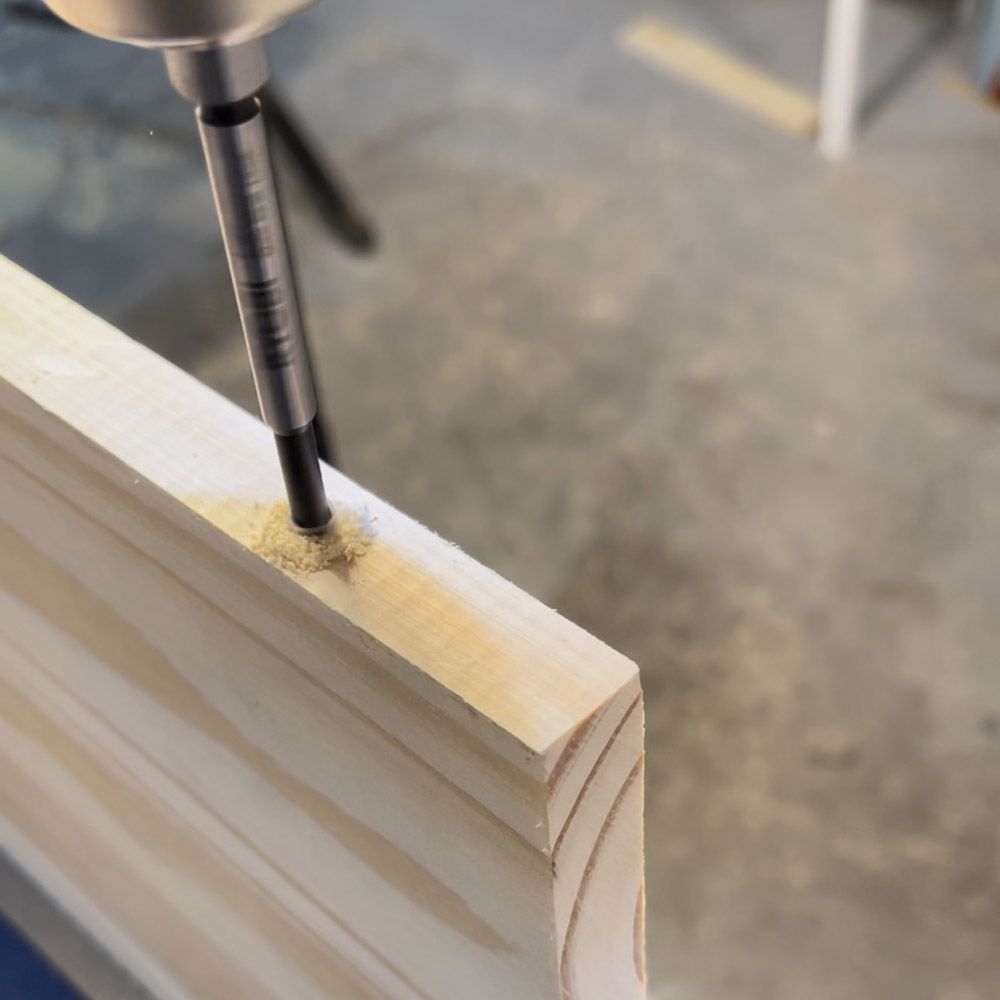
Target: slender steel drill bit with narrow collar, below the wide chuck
{"x":224,"y":83}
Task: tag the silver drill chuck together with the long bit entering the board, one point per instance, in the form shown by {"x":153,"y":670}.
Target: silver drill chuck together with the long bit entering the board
{"x":215,"y":58}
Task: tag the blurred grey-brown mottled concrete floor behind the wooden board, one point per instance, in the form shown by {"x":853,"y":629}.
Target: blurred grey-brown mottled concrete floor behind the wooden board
{"x":731,"y":409}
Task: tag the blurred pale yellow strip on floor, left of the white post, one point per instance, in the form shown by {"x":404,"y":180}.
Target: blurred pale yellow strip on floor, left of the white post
{"x":724,"y":75}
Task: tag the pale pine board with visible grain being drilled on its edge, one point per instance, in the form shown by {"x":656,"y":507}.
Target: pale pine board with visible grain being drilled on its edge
{"x":399,"y":779}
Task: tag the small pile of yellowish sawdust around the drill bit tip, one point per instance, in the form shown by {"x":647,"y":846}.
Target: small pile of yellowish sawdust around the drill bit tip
{"x":344,"y":542}
